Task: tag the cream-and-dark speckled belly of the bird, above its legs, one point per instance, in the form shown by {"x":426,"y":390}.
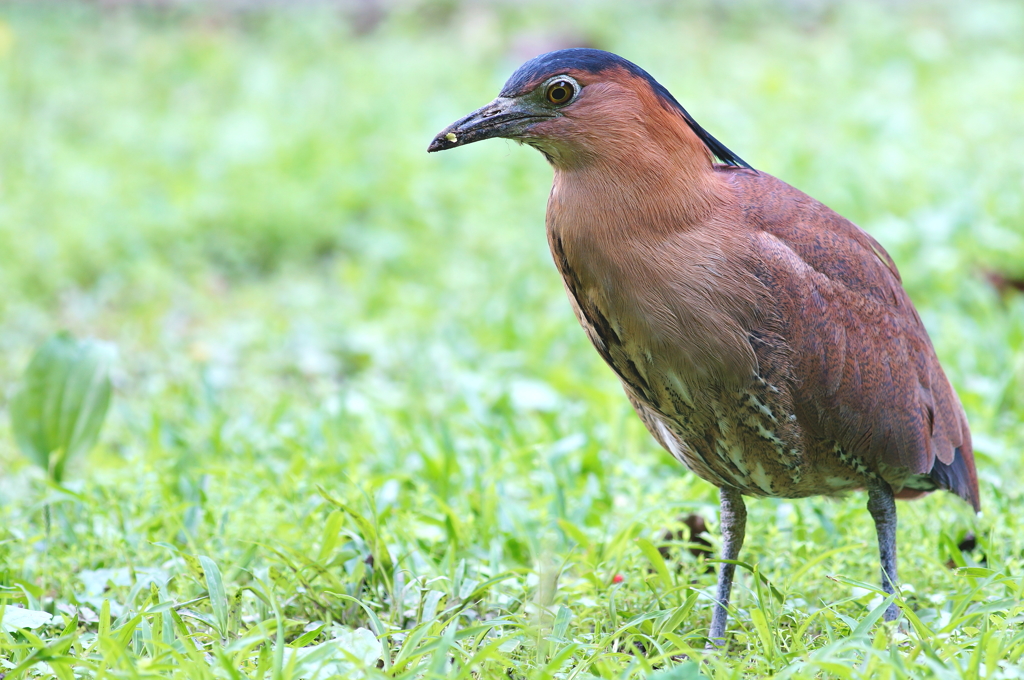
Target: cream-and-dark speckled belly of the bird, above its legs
{"x":744,"y":436}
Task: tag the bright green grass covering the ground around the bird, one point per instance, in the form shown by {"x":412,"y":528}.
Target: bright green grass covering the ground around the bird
{"x":351,"y":395}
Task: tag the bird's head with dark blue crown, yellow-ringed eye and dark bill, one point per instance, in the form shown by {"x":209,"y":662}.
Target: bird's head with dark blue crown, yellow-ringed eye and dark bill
{"x":579,"y":105}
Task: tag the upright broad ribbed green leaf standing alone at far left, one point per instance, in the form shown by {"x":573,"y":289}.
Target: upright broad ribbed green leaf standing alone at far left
{"x":59,"y":410}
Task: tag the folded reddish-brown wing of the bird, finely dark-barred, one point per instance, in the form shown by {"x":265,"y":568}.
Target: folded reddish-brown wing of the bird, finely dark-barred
{"x":866,"y":373}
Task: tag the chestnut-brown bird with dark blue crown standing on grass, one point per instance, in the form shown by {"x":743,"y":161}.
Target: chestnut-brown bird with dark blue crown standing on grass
{"x":765,"y":342}
